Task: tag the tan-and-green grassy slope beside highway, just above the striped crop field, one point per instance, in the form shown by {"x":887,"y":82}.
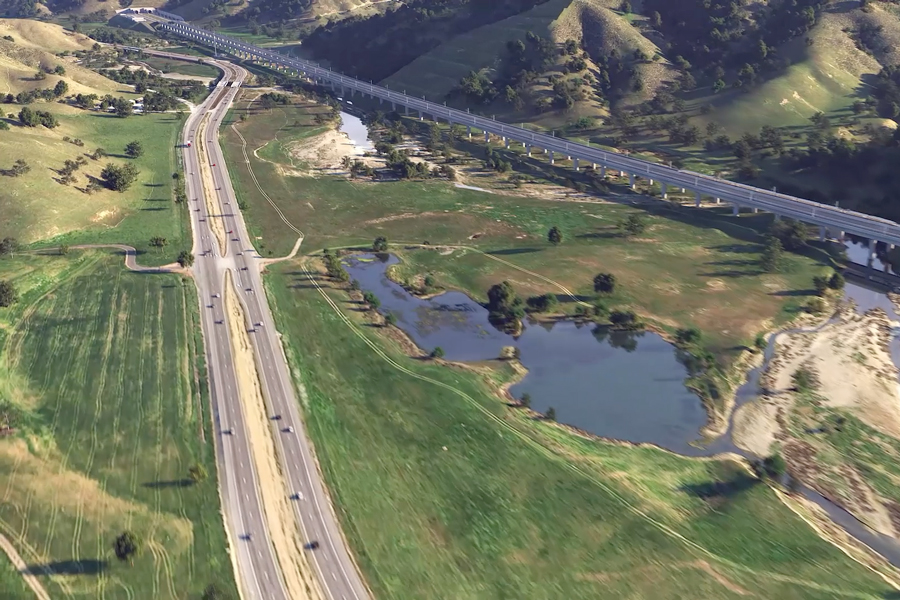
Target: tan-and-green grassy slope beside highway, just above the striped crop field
{"x":40,"y":210}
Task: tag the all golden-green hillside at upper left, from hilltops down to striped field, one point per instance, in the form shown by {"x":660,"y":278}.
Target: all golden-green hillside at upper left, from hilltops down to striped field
{"x":37,"y":207}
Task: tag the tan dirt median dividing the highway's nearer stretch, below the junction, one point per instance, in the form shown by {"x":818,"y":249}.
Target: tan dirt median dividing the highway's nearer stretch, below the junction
{"x":281,"y":523}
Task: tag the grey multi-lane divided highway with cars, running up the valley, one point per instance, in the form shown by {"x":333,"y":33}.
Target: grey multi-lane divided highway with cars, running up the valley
{"x":259,"y":571}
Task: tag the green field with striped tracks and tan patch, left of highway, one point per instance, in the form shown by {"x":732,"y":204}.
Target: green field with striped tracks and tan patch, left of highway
{"x":108,"y":364}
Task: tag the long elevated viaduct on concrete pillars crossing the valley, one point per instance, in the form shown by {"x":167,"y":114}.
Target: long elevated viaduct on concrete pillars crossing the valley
{"x":831,"y":218}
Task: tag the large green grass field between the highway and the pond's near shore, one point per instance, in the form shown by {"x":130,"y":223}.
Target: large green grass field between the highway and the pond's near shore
{"x":450,"y":494}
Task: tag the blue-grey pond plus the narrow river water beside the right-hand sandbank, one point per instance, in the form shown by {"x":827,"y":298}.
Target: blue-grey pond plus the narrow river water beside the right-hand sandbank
{"x":620,"y":385}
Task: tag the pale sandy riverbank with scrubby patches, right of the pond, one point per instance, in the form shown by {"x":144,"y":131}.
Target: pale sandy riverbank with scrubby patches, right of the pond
{"x":851,"y":358}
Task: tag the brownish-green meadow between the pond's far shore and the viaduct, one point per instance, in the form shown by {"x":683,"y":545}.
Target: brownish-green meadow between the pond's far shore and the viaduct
{"x":689,"y":267}
